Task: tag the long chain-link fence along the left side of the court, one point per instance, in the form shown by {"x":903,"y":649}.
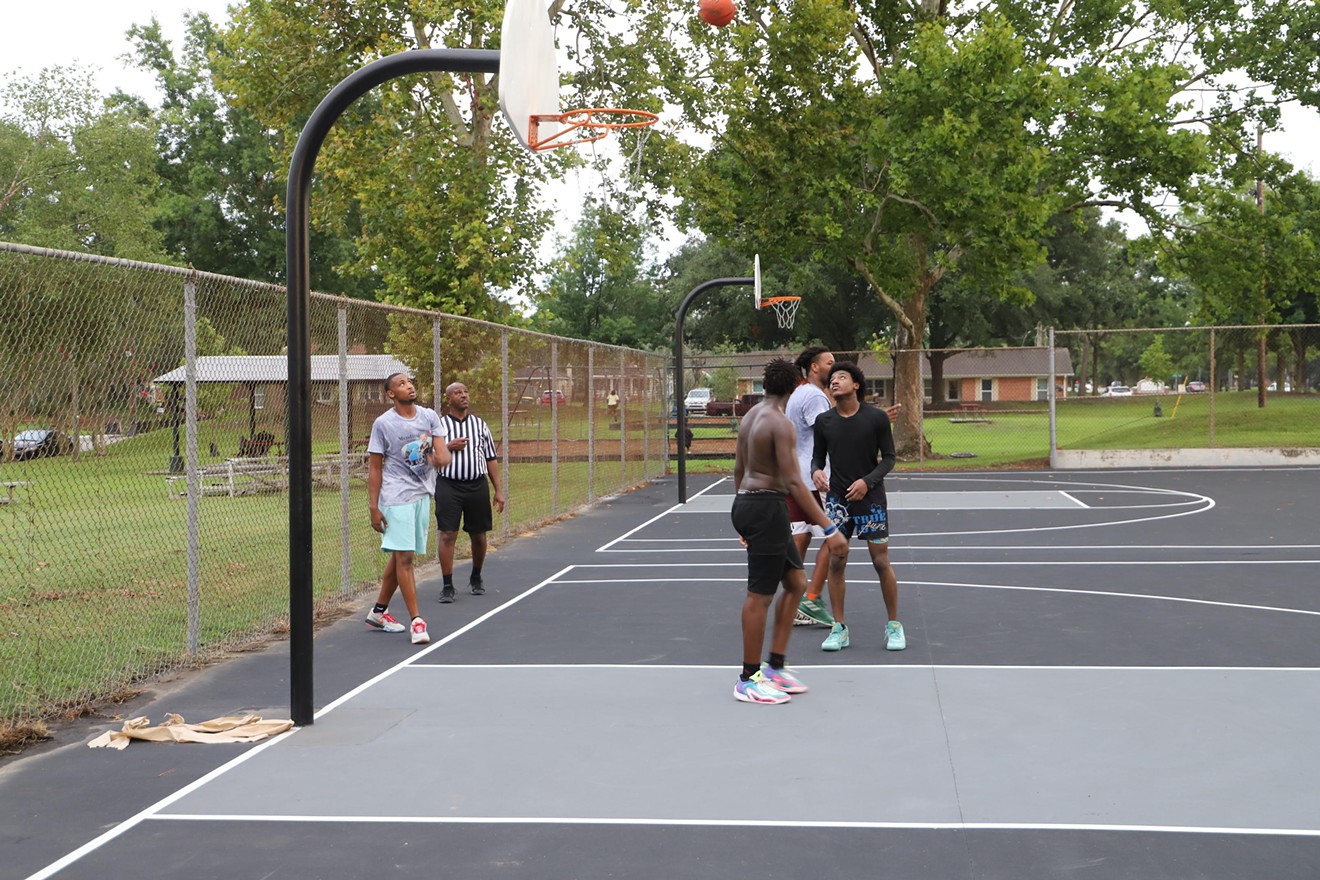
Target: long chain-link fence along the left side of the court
{"x":145,"y":493}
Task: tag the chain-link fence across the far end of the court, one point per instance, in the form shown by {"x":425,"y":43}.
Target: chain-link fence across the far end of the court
{"x":1117,"y":395}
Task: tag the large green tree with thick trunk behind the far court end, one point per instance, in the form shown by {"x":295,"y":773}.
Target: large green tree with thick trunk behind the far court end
{"x":904,"y":141}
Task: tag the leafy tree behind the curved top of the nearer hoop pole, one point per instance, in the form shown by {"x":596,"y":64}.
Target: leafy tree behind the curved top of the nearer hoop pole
{"x":442,"y":203}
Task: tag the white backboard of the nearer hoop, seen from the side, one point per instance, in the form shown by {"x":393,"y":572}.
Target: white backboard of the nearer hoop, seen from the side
{"x":529,"y":72}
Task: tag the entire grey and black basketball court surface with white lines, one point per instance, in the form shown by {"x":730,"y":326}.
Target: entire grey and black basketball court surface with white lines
{"x":1109,"y":675}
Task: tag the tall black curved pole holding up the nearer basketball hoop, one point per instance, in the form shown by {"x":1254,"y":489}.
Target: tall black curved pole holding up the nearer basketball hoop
{"x":299,"y":274}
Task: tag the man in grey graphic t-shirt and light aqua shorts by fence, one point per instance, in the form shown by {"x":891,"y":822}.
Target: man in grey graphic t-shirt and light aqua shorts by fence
{"x":407,"y":447}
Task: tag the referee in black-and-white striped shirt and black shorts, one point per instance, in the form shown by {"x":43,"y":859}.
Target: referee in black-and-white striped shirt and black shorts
{"x":461,"y":494}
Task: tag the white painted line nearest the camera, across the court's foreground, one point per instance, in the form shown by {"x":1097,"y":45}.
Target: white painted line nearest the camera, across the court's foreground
{"x":748,"y":823}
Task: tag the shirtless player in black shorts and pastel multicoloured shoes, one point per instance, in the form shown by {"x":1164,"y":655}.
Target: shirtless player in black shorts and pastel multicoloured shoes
{"x":766,"y":474}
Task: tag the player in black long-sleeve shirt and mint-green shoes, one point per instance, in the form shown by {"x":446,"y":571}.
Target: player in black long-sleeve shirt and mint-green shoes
{"x":859,"y":443}
